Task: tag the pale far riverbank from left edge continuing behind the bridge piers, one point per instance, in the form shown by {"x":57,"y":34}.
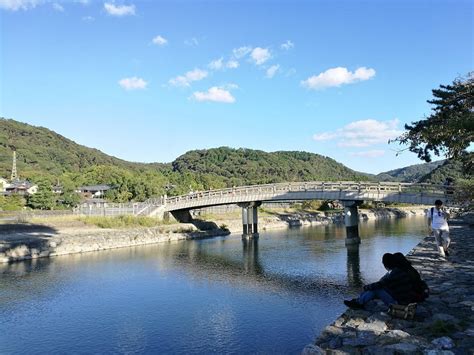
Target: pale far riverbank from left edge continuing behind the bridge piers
{"x":49,"y":237}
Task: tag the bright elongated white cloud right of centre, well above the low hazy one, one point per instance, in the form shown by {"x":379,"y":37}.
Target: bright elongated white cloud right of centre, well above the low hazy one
{"x":335,"y":77}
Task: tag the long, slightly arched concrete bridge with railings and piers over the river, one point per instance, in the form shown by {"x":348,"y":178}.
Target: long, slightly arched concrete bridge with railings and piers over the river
{"x":351,"y":194}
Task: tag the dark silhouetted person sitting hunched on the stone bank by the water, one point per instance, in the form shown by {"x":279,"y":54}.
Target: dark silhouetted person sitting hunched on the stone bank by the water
{"x":395,"y":287}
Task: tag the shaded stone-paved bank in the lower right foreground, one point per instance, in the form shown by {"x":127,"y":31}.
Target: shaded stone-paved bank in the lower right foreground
{"x":443,"y":324}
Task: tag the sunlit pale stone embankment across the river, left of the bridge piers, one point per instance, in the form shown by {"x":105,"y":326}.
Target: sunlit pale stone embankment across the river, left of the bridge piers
{"x":42,"y":241}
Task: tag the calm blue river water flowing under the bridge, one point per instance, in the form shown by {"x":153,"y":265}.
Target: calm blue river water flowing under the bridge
{"x":209,"y":296}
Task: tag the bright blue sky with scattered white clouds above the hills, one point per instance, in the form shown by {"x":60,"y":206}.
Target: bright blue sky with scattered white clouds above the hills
{"x":150,"y":80}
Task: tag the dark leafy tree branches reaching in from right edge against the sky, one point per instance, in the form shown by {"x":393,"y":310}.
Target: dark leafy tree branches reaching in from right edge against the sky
{"x":449,"y":130}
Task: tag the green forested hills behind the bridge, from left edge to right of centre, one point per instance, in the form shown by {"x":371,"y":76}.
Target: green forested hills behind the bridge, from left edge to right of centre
{"x":47,"y":157}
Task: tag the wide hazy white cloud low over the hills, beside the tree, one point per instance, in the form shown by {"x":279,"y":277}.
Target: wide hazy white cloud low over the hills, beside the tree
{"x":362,"y":133}
